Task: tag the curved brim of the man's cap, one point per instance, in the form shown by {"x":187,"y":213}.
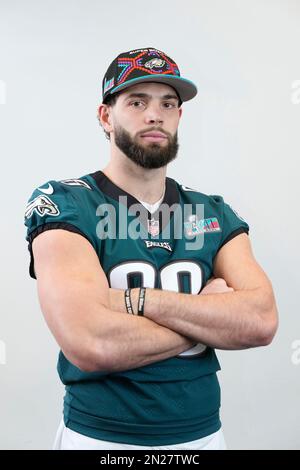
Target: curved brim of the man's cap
{"x":185,"y":88}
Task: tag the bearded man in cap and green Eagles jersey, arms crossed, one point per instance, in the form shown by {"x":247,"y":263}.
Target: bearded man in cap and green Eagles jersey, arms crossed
{"x":140,"y":278}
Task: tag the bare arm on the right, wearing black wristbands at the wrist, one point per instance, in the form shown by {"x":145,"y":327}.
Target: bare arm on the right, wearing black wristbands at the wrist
{"x":242,"y":318}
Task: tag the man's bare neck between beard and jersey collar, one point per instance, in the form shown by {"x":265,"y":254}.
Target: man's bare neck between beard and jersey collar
{"x":145,"y":185}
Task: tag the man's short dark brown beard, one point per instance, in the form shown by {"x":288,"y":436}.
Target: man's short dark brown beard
{"x":150,"y":155}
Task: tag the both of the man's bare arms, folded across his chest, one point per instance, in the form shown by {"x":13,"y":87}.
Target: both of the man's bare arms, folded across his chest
{"x":91,"y":327}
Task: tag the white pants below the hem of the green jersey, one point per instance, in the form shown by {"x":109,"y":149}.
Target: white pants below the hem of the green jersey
{"x":66,"y":439}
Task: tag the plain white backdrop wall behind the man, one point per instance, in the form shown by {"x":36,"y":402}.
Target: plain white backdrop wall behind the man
{"x":239,"y":138}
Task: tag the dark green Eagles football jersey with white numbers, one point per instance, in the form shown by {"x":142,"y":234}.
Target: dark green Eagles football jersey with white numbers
{"x":167,"y":402}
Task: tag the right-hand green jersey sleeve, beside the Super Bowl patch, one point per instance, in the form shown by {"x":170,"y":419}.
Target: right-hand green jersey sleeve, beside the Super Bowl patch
{"x":232,"y":224}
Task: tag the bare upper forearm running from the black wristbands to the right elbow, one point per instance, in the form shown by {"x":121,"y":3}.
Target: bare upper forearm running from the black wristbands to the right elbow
{"x":231,"y":320}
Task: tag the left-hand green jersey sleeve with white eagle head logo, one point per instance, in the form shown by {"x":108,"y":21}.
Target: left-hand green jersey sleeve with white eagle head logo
{"x":52,"y":206}
